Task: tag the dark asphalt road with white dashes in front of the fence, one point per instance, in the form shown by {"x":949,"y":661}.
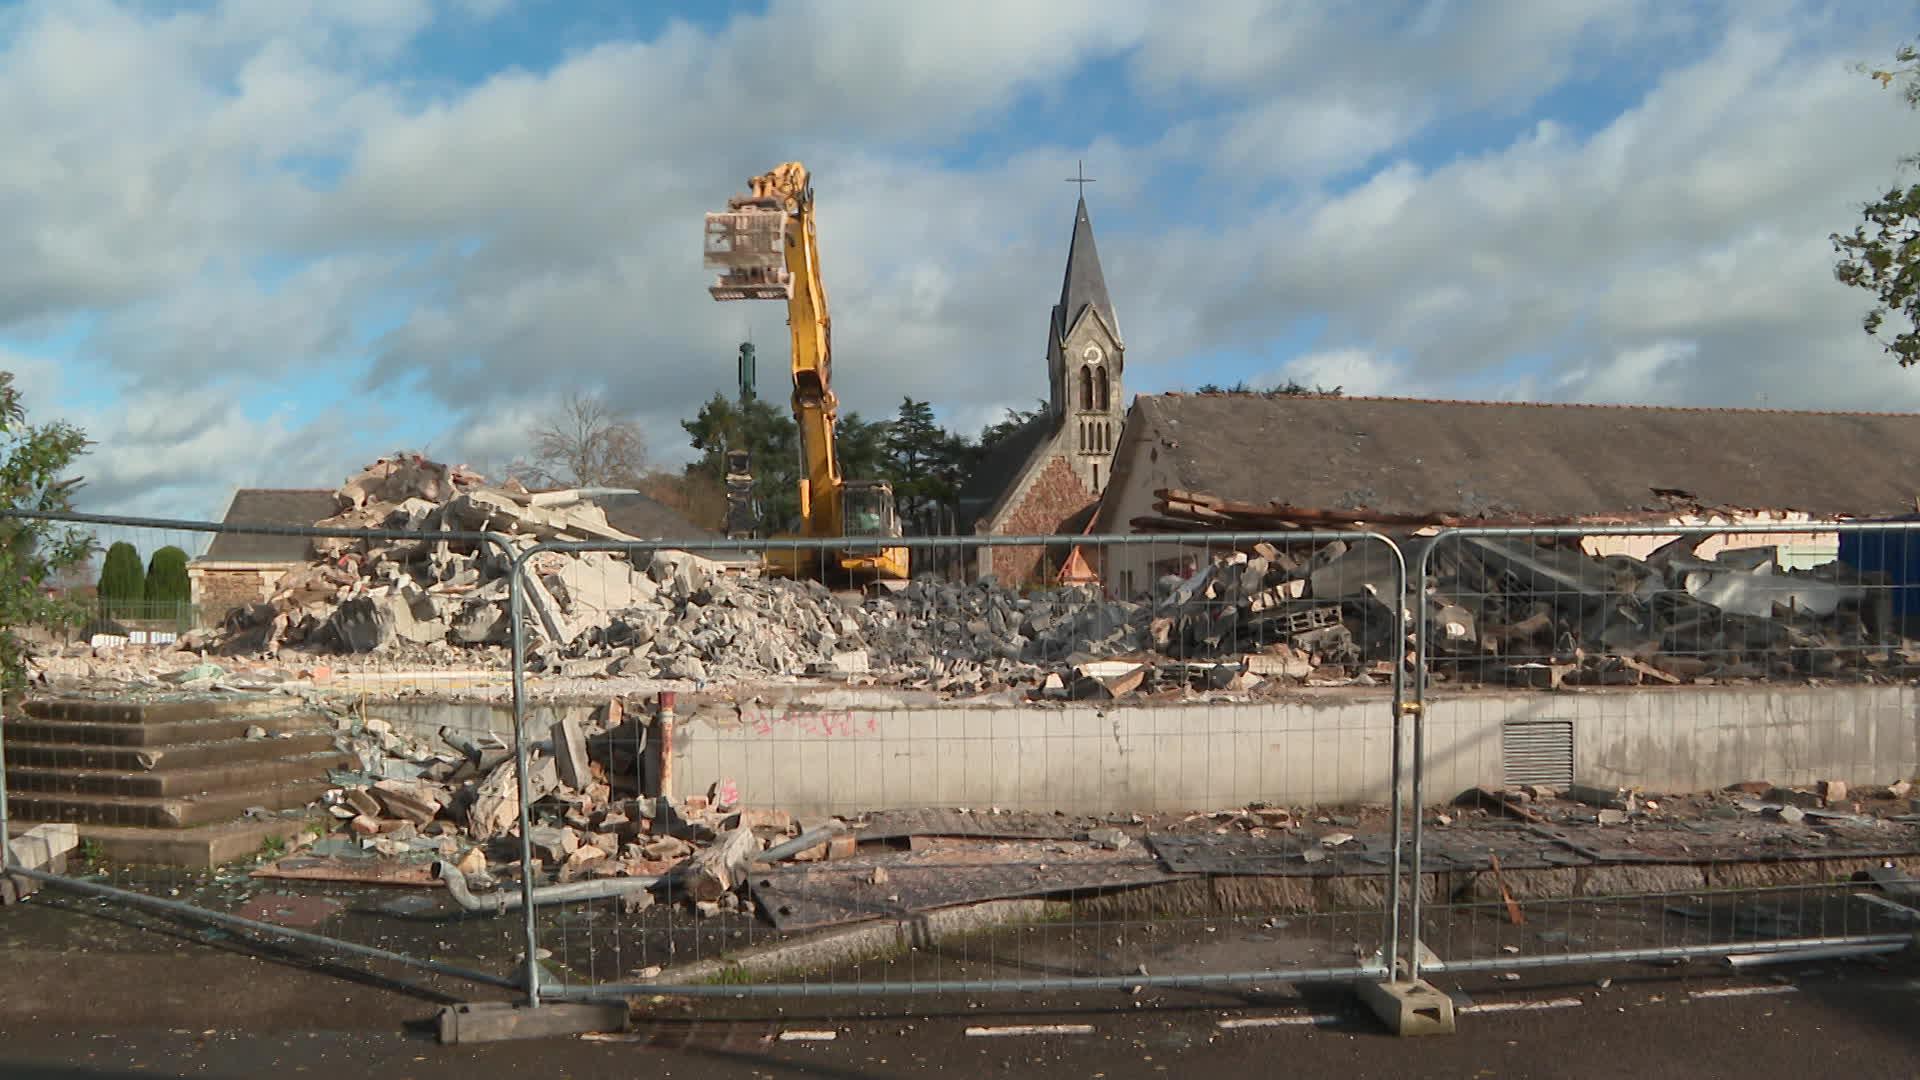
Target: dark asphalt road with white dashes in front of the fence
{"x":181,"y":1008}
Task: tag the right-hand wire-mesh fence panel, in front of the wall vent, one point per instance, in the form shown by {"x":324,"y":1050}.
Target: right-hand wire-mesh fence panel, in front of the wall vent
{"x":1660,"y":745}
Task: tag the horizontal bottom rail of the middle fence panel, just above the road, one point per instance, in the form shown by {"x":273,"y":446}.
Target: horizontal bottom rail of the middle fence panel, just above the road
{"x":969,"y":985}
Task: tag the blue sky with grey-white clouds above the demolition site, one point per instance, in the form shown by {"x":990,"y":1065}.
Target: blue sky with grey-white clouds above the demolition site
{"x":262,"y":243}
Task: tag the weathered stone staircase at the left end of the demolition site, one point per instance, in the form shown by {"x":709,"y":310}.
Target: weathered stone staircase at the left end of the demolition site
{"x":168,"y":779}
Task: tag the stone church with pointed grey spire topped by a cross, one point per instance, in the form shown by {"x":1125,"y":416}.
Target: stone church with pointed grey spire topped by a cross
{"x":1045,"y":479}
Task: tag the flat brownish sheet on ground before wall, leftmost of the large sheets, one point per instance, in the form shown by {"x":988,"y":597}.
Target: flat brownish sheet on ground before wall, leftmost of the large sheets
{"x":907,"y":883}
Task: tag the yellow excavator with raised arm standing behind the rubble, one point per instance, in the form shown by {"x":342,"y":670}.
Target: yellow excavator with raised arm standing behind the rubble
{"x":765,"y":249}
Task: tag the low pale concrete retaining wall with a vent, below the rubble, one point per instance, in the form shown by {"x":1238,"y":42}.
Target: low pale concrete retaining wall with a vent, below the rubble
{"x":838,"y":758}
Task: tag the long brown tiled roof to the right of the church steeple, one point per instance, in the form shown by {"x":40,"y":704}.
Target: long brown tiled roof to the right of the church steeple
{"x":1403,"y":456}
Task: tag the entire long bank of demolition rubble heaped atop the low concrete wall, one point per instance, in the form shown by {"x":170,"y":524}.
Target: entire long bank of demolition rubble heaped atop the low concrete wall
{"x":1508,"y":612}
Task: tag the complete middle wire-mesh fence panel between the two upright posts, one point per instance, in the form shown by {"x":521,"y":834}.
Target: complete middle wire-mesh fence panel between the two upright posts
{"x":1141,"y":762}
